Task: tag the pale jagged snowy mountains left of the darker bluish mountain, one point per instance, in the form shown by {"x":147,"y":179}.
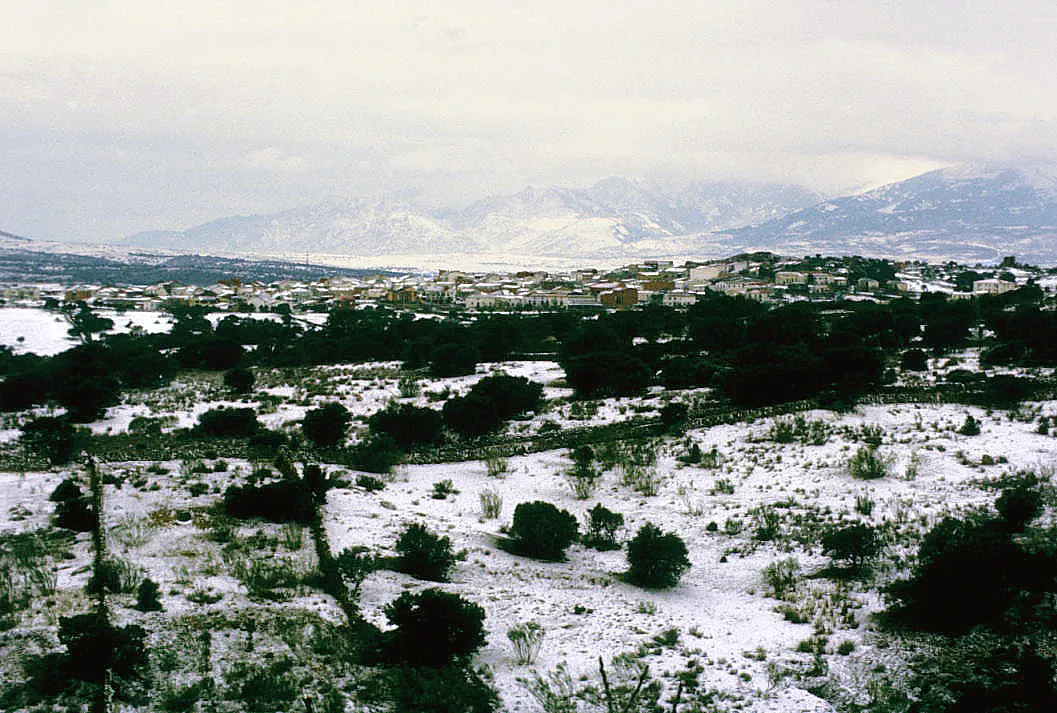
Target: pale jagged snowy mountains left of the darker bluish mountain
{"x":611,"y":218}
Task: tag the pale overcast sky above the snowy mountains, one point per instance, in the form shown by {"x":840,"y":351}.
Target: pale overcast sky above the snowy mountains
{"x":120,"y":117}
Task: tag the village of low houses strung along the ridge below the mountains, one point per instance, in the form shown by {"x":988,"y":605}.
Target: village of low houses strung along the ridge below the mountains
{"x":765,"y":277}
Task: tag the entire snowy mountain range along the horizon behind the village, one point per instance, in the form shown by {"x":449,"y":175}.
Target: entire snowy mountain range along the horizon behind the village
{"x":968,"y":215}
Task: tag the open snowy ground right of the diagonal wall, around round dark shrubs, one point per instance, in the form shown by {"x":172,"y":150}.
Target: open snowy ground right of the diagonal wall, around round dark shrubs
{"x":720,"y":608}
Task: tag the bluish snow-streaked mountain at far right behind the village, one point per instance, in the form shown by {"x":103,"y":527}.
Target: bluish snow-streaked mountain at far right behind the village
{"x":965,"y":214}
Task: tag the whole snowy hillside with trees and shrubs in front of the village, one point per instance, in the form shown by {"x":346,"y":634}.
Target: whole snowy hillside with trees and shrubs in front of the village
{"x":266,"y":499}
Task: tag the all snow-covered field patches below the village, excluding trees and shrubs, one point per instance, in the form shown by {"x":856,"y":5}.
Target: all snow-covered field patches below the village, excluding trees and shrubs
{"x":722,"y":626}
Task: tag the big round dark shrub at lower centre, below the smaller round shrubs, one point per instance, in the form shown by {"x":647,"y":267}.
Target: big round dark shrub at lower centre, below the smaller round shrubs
{"x":434,"y":629}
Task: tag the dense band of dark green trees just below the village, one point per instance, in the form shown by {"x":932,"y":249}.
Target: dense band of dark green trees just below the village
{"x":752,"y":354}
